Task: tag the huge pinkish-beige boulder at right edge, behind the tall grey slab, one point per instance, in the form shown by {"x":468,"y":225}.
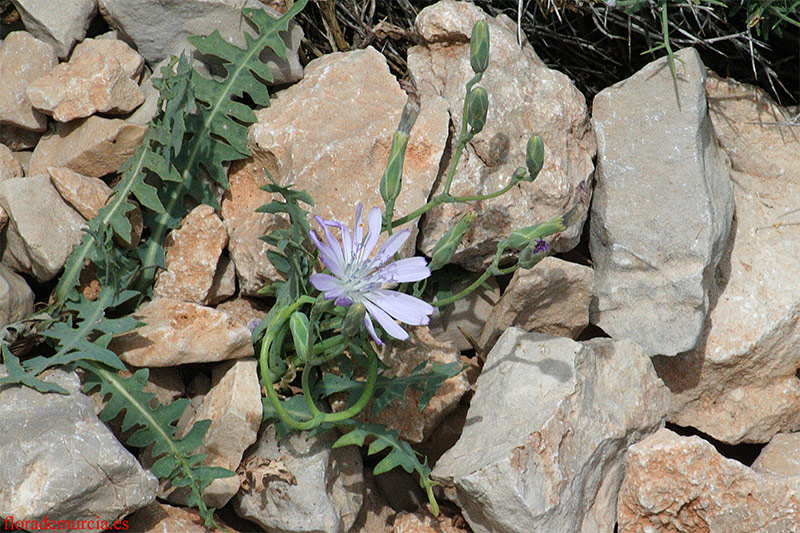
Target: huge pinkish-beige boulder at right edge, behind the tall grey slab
{"x":739,"y":384}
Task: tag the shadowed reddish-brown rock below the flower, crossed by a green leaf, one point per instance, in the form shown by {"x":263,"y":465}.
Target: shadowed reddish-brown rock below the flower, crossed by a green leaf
{"x":404,"y":414}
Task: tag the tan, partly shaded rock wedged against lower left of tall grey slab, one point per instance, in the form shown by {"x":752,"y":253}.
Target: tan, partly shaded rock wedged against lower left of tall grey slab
{"x":553,"y":298}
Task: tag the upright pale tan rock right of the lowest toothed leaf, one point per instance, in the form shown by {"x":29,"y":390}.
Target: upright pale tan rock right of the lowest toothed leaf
{"x":234,"y":407}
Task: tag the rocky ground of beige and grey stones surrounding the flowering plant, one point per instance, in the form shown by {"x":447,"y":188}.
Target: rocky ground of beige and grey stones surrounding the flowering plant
{"x":626,"y":382}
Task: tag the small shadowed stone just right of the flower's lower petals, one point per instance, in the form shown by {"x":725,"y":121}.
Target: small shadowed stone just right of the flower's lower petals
{"x":468,"y":315}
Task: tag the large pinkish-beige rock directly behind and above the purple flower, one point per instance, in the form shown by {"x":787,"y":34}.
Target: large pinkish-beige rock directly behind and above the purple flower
{"x":348,"y":107}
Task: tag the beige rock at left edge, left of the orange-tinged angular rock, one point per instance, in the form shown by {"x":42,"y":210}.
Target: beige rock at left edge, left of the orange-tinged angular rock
{"x":23,"y":58}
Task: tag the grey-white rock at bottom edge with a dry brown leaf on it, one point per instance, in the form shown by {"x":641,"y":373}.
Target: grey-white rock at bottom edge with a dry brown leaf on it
{"x":321,"y":488}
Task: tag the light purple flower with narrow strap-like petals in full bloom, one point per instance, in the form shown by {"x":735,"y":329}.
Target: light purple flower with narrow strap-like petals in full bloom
{"x":357,"y":278}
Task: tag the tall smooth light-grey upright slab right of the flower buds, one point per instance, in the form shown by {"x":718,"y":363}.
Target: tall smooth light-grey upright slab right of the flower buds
{"x":662,"y":208}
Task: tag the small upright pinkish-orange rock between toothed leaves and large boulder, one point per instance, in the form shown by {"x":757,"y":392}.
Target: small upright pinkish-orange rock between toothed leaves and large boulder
{"x":192,"y":255}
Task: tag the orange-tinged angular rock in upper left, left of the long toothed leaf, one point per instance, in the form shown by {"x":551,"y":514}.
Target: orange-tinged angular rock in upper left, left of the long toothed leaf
{"x":92,"y":81}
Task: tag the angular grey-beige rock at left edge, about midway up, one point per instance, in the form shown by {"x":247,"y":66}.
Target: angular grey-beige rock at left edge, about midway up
{"x":32,"y":245}
